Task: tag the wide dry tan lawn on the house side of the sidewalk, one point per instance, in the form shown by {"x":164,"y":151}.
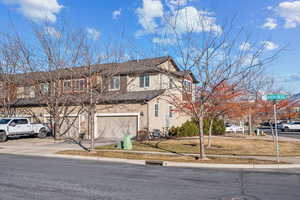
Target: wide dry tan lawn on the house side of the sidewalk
{"x":221,"y":146}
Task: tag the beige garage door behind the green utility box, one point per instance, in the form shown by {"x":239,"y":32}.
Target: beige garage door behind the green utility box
{"x":114,"y":126}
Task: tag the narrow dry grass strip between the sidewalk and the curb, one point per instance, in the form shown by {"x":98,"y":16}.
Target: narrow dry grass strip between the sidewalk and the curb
{"x":174,"y":158}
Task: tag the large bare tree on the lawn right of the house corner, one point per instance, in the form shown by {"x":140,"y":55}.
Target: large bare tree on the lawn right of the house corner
{"x":214,"y":55}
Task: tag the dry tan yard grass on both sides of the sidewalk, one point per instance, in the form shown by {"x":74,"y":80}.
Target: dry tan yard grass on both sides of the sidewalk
{"x":177,"y":149}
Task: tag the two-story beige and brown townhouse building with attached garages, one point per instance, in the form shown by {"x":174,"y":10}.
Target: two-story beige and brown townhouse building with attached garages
{"x":132,"y":97}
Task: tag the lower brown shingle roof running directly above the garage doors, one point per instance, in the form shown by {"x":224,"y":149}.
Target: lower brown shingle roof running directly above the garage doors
{"x":109,"y":98}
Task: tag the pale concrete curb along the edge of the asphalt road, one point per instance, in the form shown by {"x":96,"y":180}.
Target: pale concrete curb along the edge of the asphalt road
{"x":171,"y":164}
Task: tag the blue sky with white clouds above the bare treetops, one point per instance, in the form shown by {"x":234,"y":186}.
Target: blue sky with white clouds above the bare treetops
{"x":277,"y":20}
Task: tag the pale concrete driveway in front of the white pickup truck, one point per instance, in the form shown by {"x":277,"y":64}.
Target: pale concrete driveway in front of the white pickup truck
{"x":37,"y":146}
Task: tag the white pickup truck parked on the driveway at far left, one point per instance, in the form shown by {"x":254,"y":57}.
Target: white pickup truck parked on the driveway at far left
{"x":21,"y":127}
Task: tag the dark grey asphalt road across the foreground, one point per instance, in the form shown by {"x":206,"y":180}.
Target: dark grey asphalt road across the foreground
{"x":24,"y":177}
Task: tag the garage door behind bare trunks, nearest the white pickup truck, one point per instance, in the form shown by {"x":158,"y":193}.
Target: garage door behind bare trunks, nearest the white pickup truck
{"x":70,"y":126}
